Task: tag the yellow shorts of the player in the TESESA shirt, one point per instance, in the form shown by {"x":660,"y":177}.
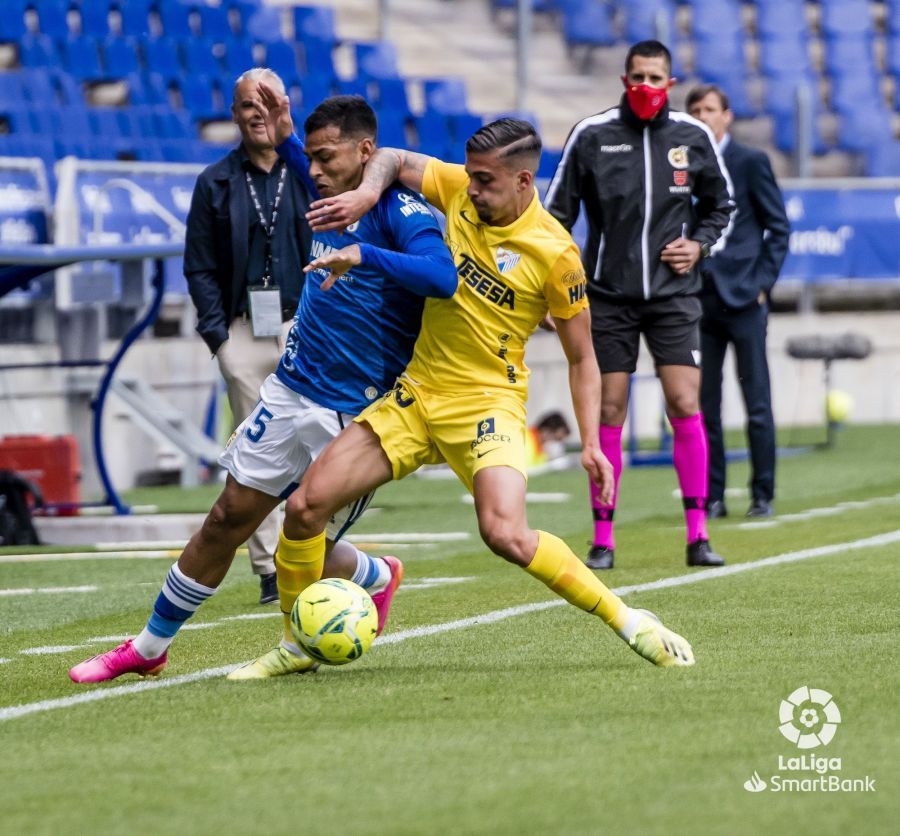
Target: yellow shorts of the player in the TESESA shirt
{"x":468,"y":431}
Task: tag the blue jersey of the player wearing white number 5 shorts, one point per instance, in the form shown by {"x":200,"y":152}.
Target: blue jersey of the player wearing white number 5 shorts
{"x":348,"y":344}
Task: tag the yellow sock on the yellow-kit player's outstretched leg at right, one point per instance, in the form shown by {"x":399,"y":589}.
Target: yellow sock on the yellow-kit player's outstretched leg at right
{"x":556,"y":565}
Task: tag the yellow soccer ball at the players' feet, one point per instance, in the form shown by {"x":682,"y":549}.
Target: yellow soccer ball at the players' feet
{"x":334,"y":621}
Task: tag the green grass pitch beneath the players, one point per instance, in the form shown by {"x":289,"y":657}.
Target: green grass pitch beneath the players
{"x":542,"y":722}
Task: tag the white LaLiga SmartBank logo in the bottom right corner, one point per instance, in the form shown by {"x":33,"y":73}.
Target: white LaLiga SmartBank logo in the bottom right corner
{"x":809,"y":718}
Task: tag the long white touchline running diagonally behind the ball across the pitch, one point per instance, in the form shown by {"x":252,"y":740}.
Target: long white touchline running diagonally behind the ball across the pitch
{"x":14,"y":711}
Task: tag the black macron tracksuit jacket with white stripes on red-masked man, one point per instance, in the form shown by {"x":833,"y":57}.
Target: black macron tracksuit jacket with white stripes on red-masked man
{"x":643,"y":183}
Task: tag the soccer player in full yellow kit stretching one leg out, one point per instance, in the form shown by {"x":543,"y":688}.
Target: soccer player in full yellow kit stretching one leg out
{"x":462,"y":397}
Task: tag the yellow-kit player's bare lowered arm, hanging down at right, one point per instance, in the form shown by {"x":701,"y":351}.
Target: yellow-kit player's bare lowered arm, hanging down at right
{"x":585,"y":385}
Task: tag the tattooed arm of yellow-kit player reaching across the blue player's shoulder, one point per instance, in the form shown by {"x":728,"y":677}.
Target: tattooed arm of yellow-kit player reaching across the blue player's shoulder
{"x":384,"y":167}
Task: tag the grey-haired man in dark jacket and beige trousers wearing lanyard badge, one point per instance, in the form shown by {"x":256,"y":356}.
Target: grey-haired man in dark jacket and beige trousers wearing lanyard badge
{"x":247,"y":229}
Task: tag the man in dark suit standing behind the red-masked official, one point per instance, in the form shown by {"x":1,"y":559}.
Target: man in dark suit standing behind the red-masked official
{"x":736,"y":286}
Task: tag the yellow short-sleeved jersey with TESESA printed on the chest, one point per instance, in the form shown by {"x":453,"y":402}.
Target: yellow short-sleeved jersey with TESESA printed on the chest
{"x":509,"y":277}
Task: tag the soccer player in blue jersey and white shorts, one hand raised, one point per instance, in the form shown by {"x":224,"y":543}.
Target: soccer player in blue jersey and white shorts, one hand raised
{"x":353,"y":334}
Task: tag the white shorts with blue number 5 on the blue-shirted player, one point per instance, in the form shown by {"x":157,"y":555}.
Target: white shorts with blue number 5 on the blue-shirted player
{"x":278,"y":441}
